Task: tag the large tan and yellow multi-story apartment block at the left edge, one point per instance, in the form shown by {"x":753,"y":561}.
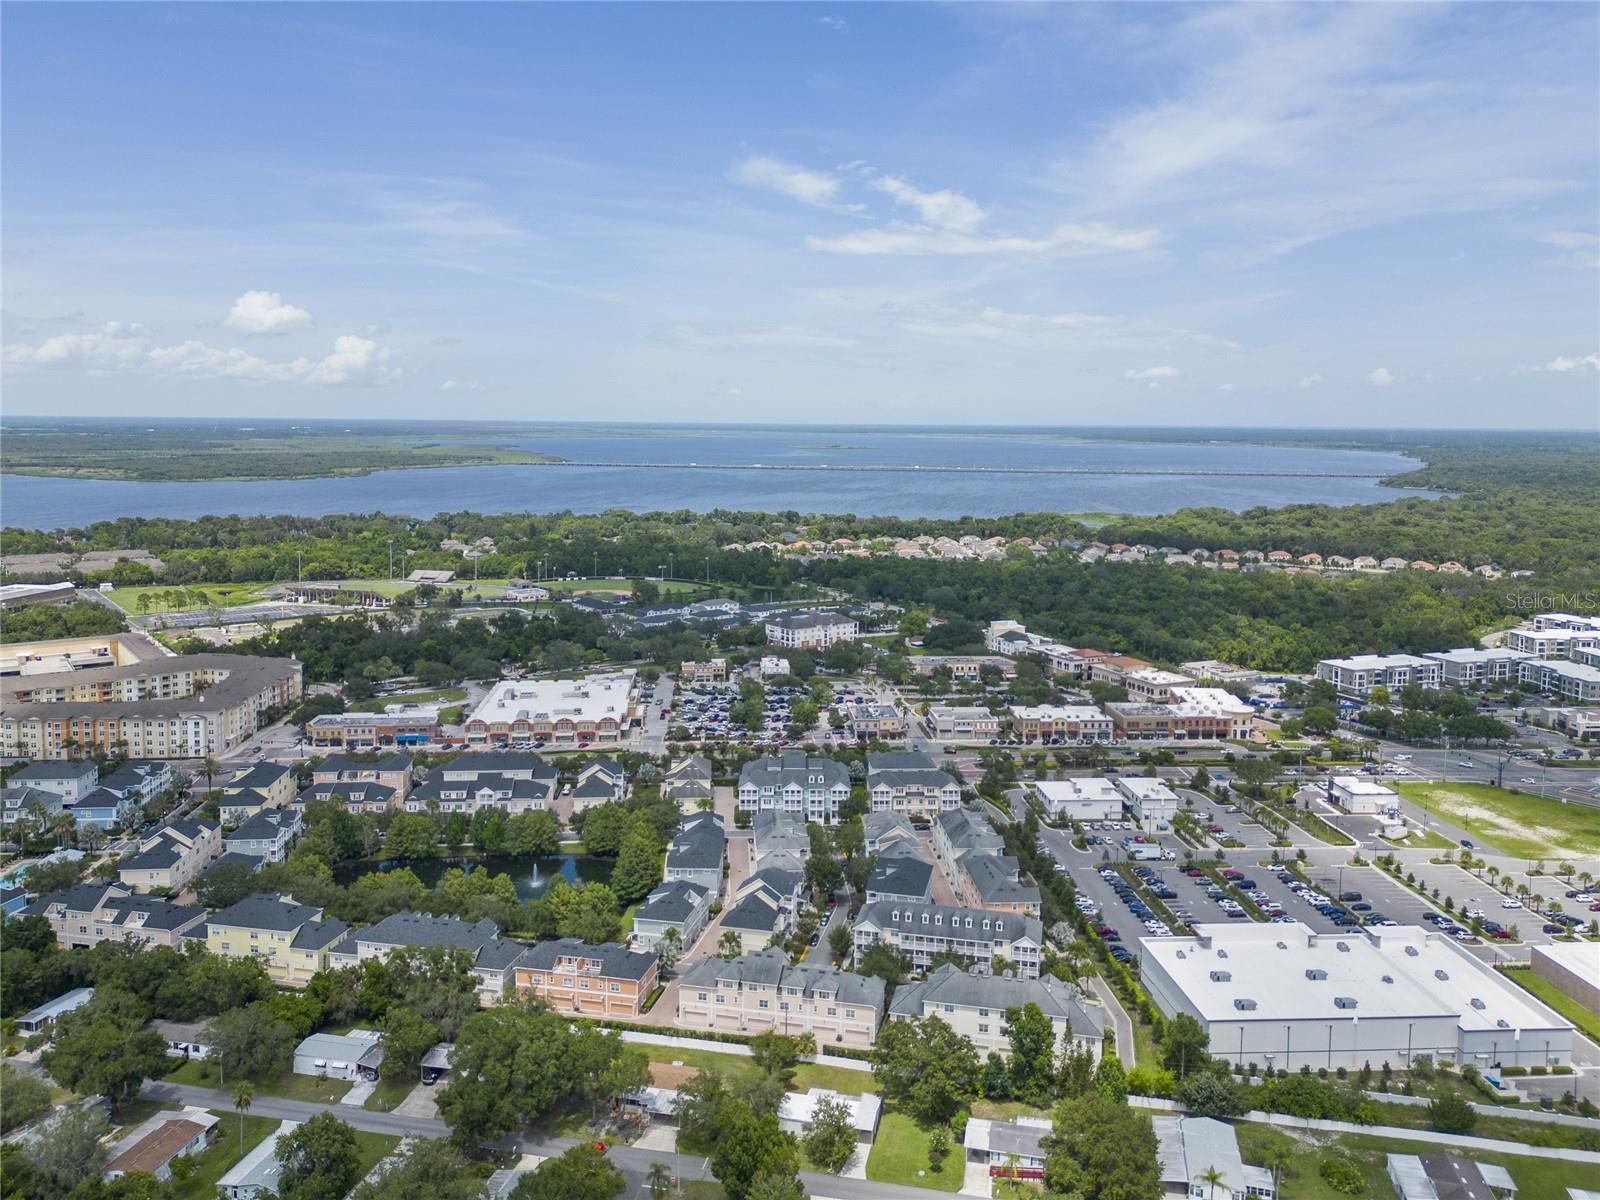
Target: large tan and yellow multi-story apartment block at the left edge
{"x":183,"y":706}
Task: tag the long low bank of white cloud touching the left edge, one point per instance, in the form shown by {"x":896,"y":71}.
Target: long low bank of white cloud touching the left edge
{"x":127,"y":348}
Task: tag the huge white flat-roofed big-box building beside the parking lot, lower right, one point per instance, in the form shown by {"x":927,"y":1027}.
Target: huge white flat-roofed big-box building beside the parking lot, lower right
{"x":1286,"y":998}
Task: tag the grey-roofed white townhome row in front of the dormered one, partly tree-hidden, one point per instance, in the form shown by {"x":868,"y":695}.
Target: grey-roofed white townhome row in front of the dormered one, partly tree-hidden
{"x":975,"y":1004}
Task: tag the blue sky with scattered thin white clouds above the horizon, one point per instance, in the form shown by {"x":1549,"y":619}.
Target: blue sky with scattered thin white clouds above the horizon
{"x":1322,"y":215}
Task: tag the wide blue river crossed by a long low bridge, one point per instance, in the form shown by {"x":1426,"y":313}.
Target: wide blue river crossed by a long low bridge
{"x":756,"y":471}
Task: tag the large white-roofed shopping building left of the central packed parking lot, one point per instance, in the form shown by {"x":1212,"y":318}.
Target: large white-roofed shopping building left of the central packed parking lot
{"x":594,"y":710}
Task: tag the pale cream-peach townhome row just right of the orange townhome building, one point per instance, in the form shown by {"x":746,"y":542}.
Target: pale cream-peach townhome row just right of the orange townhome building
{"x":761,"y":993}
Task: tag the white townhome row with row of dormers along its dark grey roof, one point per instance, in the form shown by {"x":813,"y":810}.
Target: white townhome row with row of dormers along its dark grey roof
{"x":922,"y":932}
